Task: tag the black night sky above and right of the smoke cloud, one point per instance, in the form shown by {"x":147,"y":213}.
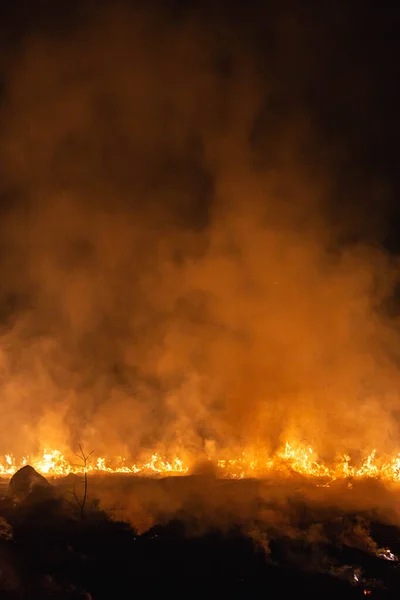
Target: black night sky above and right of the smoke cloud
{"x":332,"y":64}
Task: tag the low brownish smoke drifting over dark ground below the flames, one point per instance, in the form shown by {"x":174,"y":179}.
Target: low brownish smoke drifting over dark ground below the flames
{"x":309,"y":521}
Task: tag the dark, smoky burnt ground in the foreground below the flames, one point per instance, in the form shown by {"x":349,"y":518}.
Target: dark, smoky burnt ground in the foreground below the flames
{"x":299,"y":546}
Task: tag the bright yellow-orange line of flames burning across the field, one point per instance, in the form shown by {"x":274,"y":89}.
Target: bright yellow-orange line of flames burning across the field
{"x":290,"y":459}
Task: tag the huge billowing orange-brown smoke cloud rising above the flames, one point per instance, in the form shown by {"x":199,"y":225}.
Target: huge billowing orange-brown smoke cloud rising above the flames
{"x":176,"y":270}
